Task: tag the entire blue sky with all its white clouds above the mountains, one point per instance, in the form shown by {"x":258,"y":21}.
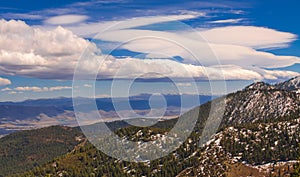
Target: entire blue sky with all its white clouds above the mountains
{"x":45,"y":45}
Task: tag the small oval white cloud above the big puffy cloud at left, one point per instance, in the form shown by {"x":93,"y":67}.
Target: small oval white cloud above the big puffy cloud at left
{"x":66,"y":19}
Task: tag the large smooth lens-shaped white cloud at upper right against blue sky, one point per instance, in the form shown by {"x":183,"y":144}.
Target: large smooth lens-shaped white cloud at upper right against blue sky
{"x":248,"y":36}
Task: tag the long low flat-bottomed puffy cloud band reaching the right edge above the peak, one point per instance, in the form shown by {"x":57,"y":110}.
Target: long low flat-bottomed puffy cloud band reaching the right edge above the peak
{"x":160,"y":68}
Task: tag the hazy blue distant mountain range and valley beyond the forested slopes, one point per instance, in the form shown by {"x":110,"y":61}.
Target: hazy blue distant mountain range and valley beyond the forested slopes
{"x":39,"y":113}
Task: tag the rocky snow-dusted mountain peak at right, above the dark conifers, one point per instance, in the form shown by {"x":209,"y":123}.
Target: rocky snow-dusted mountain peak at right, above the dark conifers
{"x":259,"y":102}
